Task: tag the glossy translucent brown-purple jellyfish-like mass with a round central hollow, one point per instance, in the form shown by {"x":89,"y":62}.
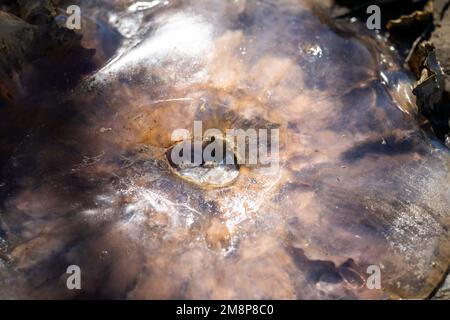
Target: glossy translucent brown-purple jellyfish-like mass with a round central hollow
{"x":359,"y":183}
